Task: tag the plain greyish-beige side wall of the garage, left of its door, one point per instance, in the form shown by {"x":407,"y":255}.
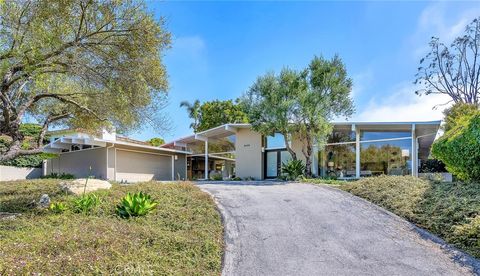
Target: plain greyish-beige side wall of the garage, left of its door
{"x":78,"y":163}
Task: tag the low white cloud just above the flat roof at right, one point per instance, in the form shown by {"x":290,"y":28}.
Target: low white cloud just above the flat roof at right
{"x":404,"y":105}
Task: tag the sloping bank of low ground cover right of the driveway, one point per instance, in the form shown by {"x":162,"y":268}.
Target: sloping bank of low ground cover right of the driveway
{"x":449,"y":210}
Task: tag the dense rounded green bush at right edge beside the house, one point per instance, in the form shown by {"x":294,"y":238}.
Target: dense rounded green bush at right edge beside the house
{"x":459,"y":147}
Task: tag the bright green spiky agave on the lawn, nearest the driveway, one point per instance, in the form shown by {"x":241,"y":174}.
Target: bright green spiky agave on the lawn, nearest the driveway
{"x":137,"y":204}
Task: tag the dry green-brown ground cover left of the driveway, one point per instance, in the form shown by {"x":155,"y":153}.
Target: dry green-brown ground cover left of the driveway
{"x":182,"y":236}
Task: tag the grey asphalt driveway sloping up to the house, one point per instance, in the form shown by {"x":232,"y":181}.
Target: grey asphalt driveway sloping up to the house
{"x":301,"y":229}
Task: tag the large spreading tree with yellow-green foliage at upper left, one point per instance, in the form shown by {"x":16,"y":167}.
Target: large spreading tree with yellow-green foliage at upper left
{"x":78,"y":63}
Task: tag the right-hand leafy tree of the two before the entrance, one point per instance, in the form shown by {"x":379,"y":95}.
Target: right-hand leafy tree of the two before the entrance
{"x":323,"y":96}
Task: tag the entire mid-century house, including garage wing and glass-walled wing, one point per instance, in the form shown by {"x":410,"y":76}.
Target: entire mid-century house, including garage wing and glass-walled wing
{"x":354,"y":150}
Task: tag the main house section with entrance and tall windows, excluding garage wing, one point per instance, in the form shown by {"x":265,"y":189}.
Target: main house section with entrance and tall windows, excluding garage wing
{"x":355,"y":149}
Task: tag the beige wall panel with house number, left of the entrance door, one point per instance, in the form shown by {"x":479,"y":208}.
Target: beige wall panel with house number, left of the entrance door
{"x":248,"y":154}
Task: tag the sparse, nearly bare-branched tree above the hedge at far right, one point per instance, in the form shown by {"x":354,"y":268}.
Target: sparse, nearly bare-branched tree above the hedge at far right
{"x":454,"y":70}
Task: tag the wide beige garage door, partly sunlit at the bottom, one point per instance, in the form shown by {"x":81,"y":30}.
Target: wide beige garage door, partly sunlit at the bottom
{"x":139,"y":166}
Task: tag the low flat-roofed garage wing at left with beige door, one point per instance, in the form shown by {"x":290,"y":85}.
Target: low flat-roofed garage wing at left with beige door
{"x":113,"y":157}
